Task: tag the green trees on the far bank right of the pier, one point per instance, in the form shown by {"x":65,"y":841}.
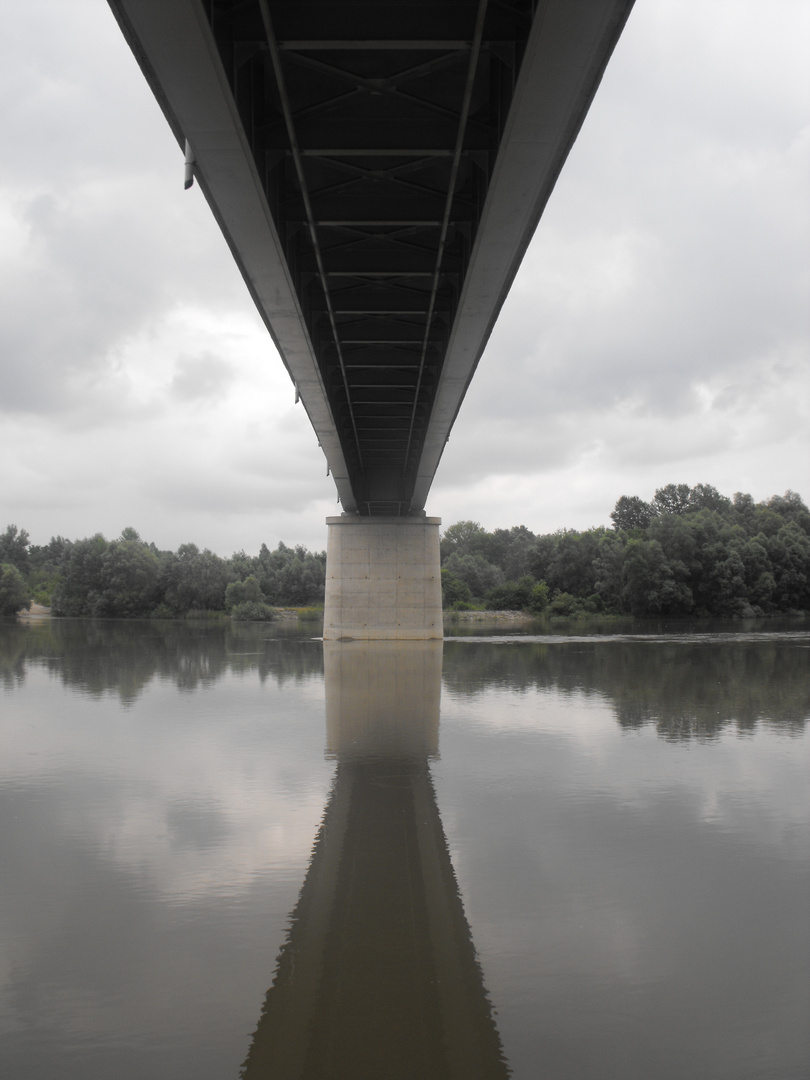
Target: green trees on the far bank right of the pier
{"x":690,"y":551}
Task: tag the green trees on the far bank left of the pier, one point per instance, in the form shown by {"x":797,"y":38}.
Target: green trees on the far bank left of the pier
{"x":131,"y":578}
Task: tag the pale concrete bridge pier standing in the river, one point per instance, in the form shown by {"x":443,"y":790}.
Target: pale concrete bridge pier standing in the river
{"x":383,"y":579}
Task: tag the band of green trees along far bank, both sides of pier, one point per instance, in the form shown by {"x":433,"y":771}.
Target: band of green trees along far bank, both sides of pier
{"x":687,"y":553}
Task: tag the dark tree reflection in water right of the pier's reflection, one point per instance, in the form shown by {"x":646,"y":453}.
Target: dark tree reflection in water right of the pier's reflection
{"x":685,"y":686}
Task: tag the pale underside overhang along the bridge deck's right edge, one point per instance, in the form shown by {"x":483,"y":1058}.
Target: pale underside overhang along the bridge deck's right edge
{"x":541,"y":133}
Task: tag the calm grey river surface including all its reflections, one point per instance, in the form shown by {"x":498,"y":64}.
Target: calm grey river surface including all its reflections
{"x":232,"y":853}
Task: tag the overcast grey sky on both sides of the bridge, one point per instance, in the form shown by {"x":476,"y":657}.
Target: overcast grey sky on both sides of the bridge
{"x":659,"y":330}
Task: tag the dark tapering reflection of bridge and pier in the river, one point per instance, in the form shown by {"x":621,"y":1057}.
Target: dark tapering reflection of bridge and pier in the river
{"x":379,"y":976}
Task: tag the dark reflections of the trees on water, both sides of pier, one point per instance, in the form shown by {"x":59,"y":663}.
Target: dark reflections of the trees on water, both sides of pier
{"x":686,"y":686}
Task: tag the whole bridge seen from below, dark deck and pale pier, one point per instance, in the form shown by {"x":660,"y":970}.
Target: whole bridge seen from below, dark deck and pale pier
{"x":379,"y":169}
